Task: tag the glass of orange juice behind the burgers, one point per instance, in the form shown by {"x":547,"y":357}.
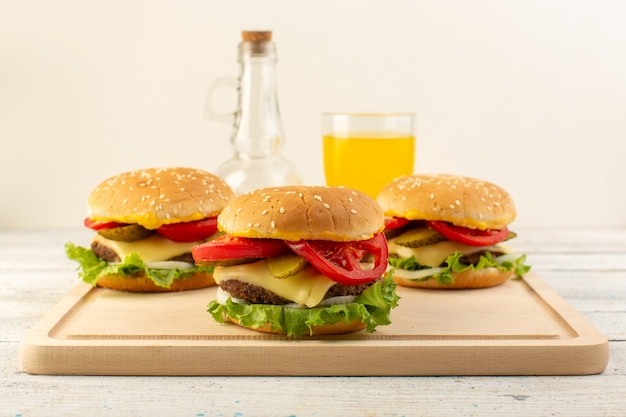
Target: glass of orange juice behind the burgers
{"x":366,"y":151}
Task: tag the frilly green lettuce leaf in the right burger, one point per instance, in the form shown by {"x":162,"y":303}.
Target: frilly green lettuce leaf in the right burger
{"x":453,"y":264}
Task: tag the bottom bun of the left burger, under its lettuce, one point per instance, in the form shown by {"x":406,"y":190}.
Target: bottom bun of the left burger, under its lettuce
{"x":143,"y":284}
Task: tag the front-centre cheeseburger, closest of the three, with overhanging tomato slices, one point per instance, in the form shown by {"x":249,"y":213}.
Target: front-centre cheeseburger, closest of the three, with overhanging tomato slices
{"x":301,"y":260}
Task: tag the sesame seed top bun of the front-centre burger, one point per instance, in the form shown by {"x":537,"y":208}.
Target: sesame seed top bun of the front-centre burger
{"x":303,"y":212}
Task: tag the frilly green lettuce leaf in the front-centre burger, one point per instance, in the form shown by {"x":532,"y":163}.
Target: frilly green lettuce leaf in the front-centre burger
{"x":372,"y":307}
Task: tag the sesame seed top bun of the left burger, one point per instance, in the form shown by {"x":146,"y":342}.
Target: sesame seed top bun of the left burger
{"x":157,"y":196}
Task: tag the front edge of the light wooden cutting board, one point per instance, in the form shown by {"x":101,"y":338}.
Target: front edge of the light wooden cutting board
{"x":426,"y":361}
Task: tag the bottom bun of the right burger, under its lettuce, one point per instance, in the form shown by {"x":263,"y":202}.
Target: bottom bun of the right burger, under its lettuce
{"x":488,"y":277}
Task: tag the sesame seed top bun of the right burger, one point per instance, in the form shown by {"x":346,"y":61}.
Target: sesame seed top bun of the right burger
{"x":463,"y":201}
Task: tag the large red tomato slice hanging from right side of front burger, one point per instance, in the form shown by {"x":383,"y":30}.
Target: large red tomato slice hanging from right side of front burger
{"x":340,"y":261}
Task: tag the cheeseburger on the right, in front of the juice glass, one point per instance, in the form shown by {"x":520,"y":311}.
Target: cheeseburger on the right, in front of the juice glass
{"x":447,"y":231}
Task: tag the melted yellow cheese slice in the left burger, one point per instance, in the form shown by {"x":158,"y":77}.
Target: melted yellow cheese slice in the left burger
{"x":153,"y":249}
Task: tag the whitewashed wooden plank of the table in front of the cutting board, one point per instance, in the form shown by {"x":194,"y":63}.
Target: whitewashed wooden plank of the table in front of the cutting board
{"x":597,"y":395}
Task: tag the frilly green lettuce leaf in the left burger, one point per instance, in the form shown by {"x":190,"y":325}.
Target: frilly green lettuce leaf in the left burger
{"x":91,"y":267}
